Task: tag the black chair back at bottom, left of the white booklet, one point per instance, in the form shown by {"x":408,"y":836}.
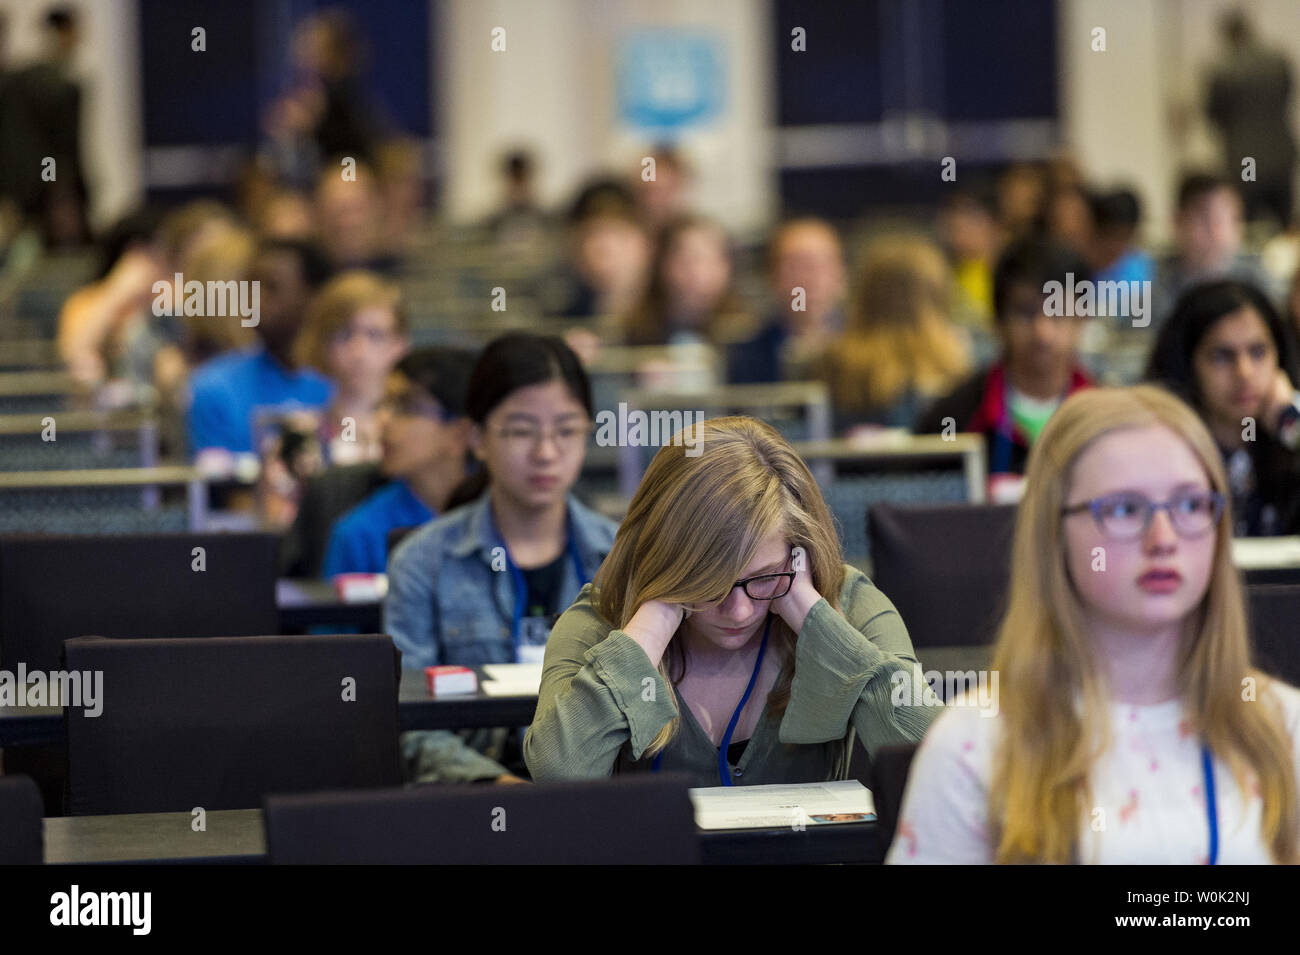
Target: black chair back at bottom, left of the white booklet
{"x":645,"y":821}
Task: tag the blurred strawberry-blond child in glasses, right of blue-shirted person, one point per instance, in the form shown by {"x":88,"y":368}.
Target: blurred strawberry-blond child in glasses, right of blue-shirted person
{"x":354,"y":333}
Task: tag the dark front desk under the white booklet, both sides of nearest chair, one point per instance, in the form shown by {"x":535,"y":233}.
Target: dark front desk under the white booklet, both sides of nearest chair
{"x":237,"y":836}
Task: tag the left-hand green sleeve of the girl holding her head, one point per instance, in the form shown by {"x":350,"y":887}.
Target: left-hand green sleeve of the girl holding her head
{"x":600,"y":692}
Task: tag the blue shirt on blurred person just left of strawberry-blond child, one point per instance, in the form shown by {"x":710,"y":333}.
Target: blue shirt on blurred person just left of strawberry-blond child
{"x":231,"y":389}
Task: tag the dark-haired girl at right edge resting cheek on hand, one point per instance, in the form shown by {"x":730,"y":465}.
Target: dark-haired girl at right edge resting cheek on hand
{"x":1227,"y":351}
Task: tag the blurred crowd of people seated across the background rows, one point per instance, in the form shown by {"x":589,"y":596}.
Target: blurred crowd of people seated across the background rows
{"x":938,"y":329}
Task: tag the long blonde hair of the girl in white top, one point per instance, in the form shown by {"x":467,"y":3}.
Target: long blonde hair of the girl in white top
{"x":1039,"y":791}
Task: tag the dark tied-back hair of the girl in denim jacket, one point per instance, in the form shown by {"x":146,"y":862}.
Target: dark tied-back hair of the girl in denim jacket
{"x":517,"y":361}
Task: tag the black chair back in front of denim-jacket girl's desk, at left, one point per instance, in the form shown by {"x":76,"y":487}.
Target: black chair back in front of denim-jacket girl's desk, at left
{"x":222,"y":722}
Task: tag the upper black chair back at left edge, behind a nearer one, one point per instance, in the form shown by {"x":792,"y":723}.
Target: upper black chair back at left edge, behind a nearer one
{"x":58,"y":588}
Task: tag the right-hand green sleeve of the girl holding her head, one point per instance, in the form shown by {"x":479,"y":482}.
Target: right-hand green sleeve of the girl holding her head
{"x":846,"y":668}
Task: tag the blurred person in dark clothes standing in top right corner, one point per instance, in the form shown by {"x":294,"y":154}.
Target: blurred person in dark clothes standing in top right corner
{"x":1249,"y":101}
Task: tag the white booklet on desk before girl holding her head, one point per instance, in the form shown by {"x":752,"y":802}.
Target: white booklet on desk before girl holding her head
{"x":798,"y":806}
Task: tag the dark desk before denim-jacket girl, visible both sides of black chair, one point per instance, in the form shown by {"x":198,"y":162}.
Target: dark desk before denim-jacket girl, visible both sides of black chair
{"x":417,"y":710}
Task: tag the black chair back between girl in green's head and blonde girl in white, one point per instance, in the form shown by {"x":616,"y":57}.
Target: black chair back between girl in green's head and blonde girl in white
{"x":946,"y":568}
